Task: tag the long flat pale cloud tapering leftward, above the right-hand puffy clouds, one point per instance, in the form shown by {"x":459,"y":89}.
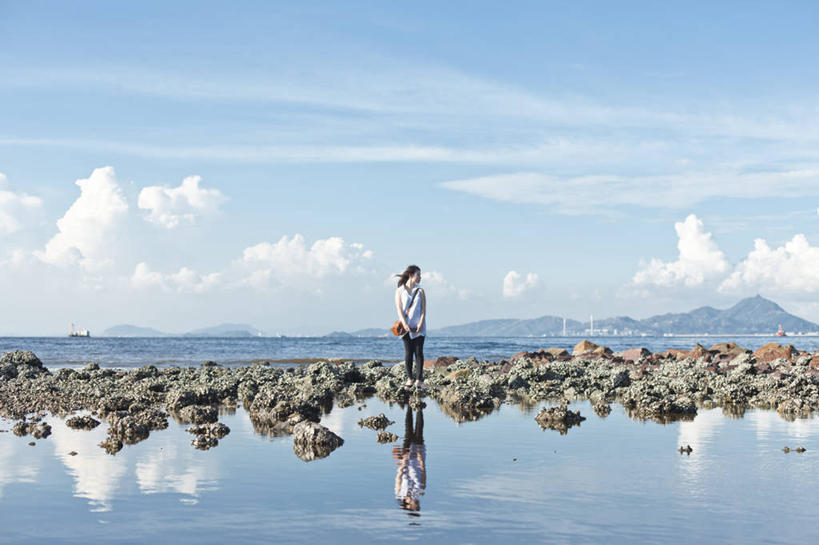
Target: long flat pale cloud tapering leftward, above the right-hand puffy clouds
{"x":590,"y":194}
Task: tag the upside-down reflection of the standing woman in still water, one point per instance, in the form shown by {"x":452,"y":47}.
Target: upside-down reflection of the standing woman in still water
{"x":411,"y":477}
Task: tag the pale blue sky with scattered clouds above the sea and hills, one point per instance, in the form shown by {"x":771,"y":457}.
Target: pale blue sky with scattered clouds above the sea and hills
{"x":179,"y":165}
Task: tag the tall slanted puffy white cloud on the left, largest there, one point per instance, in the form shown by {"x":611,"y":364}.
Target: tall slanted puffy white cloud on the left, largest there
{"x":86,"y":230}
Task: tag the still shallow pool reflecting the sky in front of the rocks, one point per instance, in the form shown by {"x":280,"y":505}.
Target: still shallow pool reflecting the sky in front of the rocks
{"x":502,"y":478}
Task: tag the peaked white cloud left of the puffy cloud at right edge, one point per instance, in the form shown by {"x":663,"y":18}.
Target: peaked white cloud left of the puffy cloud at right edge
{"x":700,"y":259}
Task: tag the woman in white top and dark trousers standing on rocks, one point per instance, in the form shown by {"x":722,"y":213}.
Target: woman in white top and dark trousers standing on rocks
{"x":411,"y":304}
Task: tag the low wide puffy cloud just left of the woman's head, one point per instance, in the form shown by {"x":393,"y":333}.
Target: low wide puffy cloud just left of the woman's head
{"x":291,"y":258}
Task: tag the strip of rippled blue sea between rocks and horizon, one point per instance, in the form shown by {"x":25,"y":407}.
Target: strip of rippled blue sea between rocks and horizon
{"x":134,"y":352}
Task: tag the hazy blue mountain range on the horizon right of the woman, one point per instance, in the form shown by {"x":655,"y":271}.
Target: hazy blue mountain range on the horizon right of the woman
{"x":754,"y":315}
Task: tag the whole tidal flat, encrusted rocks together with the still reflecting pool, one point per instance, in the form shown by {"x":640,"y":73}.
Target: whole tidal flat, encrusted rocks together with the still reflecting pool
{"x":547,"y":446}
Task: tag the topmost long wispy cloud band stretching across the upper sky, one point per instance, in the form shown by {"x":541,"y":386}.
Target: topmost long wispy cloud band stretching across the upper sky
{"x":386,"y":88}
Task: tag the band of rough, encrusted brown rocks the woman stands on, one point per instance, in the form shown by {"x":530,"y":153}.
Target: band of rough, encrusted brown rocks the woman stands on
{"x":281,"y":401}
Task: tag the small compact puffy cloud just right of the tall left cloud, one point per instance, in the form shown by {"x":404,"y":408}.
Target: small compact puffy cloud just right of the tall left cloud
{"x":169,"y":207}
